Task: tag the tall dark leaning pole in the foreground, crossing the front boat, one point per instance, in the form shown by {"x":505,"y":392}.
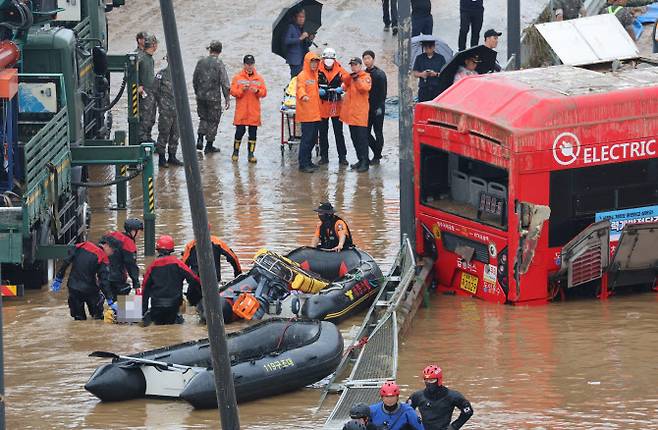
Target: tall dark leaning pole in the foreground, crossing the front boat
{"x":228,"y":409}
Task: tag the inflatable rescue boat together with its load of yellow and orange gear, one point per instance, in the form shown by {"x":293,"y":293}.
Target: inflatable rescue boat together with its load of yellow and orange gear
{"x":318,"y":285}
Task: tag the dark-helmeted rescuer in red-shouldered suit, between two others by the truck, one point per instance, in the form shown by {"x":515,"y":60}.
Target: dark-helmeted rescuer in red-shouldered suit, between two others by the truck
{"x":123,"y":263}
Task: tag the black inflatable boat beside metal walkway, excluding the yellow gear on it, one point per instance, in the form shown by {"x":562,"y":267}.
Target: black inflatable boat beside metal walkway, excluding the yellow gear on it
{"x":352,"y":275}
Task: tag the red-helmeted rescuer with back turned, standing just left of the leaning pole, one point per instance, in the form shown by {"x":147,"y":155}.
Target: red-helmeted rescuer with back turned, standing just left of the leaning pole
{"x":163,"y":285}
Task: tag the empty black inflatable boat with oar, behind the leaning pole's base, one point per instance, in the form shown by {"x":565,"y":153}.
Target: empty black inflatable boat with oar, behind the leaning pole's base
{"x":272,"y":357}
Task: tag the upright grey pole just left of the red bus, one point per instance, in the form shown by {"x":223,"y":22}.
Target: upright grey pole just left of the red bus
{"x":405,"y":104}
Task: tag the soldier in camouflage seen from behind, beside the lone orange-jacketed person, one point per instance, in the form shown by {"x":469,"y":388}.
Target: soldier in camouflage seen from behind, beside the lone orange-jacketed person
{"x":210,"y":83}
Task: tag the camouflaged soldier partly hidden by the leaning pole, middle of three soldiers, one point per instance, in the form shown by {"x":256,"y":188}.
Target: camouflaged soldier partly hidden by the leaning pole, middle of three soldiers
{"x":163,"y":91}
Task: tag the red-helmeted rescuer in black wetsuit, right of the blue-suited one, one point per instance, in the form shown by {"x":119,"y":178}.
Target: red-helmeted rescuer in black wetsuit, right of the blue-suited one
{"x":436,"y":402}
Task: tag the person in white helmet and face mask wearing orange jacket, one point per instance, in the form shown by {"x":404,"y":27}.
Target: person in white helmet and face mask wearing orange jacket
{"x":330,"y":78}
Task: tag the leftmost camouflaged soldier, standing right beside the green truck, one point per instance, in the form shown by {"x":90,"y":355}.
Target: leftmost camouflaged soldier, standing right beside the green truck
{"x":147,"y":105}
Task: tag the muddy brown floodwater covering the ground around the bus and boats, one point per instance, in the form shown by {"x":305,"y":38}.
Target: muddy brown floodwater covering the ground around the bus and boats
{"x":580,"y":365}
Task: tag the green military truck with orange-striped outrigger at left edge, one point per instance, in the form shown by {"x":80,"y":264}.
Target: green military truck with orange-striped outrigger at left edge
{"x":55,"y":90}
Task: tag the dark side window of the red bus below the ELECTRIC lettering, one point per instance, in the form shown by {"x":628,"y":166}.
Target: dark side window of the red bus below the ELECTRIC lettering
{"x":595,"y":189}
